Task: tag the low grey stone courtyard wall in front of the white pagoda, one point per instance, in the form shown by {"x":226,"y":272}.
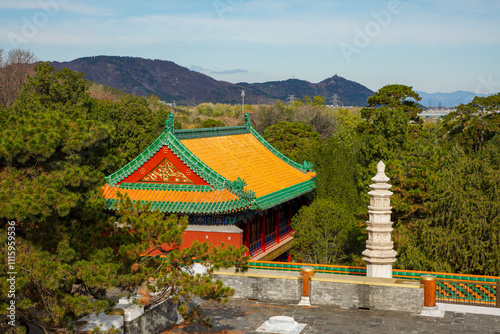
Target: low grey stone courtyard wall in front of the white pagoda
{"x":341,"y":291}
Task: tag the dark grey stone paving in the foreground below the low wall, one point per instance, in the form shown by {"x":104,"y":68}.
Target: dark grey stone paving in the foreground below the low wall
{"x":241,"y":316}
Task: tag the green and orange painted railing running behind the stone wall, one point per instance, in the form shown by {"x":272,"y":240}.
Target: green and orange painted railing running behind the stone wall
{"x":450,"y":288}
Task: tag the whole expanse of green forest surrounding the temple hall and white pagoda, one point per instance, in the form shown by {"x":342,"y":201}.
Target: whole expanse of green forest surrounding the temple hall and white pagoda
{"x":62,"y":134}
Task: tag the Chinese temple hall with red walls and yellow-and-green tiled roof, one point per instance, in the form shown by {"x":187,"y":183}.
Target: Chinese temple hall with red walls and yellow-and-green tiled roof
{"x":231,"y":183}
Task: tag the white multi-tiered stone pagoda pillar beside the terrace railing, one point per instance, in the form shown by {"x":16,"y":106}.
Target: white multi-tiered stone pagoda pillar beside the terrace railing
{"x":379,"y":254}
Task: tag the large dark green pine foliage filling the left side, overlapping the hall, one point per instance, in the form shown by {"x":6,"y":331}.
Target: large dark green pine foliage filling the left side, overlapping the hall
{"x":56,"y":146}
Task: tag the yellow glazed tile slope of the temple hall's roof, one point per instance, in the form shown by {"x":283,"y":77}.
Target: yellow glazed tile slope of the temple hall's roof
{"x":245,"y":157}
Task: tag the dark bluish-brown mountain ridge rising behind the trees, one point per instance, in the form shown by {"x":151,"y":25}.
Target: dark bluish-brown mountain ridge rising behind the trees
{"x":172,"y":82}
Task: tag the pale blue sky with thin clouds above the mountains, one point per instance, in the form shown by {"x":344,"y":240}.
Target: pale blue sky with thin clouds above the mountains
{"x":431,"y":45}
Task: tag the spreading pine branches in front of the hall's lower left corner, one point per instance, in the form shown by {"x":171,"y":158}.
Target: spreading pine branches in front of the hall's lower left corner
{"x":172,"y":271}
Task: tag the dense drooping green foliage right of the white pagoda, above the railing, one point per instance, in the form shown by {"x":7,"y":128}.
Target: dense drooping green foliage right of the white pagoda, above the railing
{"x":461,"y":232}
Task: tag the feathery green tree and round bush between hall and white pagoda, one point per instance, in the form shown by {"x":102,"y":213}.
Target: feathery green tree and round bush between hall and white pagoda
{"x":327,"y":230}
